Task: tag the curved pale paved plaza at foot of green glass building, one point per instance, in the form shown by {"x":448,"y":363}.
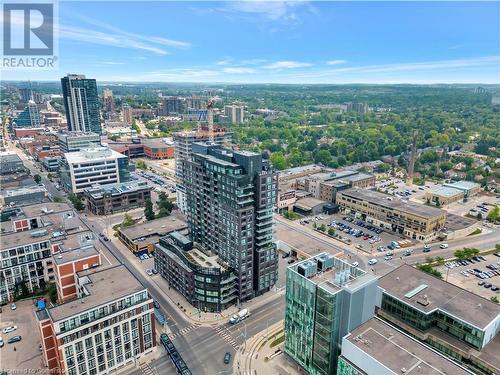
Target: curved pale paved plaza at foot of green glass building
{"x":263,"y":354}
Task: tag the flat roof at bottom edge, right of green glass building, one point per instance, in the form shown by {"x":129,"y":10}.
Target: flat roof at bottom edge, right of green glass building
{"x":396,"y":351}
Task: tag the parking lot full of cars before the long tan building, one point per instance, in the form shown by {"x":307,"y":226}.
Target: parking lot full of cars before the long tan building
{"x":361,"y":235}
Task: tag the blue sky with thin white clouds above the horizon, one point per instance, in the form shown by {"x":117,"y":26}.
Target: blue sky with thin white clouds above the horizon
{"x":285,"y":42}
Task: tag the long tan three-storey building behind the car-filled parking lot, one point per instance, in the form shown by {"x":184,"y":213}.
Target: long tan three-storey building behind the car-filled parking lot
{"x":405,"y":218}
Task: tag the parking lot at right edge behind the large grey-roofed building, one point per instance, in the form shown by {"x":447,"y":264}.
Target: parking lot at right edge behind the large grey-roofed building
{"x":480,"y":275}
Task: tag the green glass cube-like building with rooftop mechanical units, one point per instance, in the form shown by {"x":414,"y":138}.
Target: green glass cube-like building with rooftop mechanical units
{"x":326,"y":298}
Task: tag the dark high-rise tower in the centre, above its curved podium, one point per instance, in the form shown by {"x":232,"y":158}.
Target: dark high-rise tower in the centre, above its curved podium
{"x":230,"y":200}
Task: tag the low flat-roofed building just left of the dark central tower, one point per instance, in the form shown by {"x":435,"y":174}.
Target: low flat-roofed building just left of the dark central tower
{"x":142,"y":237}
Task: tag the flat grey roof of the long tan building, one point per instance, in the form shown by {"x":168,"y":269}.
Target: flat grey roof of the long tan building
{"x":391,"y":202}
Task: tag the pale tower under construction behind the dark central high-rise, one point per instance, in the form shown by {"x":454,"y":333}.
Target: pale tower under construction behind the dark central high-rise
{"x":183,"y":144}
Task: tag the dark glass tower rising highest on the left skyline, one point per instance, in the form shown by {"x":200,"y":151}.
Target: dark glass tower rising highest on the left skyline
{"x":81,"y":103}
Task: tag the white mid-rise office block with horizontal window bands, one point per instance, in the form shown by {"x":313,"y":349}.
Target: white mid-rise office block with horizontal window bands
{"x":93,"y":166}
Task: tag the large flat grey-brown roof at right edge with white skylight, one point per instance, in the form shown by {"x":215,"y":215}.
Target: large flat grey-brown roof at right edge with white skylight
{"x":427,"y":294}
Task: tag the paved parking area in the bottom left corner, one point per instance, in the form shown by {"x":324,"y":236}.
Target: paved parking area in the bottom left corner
{"x":24,"y":355}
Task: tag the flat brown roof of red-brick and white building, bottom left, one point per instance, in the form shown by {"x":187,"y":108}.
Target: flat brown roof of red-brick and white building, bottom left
{"x":104,"y":286}
